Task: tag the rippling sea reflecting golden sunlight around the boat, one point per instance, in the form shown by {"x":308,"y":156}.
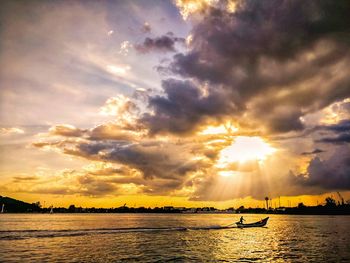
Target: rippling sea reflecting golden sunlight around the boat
{"x":172,"y":238}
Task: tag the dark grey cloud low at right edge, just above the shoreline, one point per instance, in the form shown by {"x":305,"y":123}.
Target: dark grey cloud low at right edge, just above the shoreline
{"x":330,"y":174}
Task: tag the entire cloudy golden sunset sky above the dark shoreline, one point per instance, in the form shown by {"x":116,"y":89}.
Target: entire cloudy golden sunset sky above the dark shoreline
{"x":184,"y":103}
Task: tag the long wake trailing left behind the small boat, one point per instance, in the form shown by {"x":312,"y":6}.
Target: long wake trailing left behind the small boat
{"x":26,"y":234}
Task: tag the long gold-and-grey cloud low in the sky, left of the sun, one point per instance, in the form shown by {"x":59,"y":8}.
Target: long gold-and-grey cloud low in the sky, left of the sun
{"x":157,"y":167}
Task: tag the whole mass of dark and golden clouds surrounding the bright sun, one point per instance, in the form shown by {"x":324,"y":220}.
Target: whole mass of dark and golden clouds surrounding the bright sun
{"x":268,"y":67}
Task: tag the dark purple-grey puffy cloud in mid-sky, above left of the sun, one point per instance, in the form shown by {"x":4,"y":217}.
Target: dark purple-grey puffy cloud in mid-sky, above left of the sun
{"x":183,"y":106}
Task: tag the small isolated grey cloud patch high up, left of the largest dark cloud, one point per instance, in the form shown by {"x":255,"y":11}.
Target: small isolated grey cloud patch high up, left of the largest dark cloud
{"x":165,"y":43}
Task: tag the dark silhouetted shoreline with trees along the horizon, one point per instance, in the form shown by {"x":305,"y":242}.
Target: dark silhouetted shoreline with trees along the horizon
{"x":10,"y":205}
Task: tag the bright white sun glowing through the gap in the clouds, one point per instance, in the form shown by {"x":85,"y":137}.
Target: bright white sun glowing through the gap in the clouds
{"x":245,"y":149}
